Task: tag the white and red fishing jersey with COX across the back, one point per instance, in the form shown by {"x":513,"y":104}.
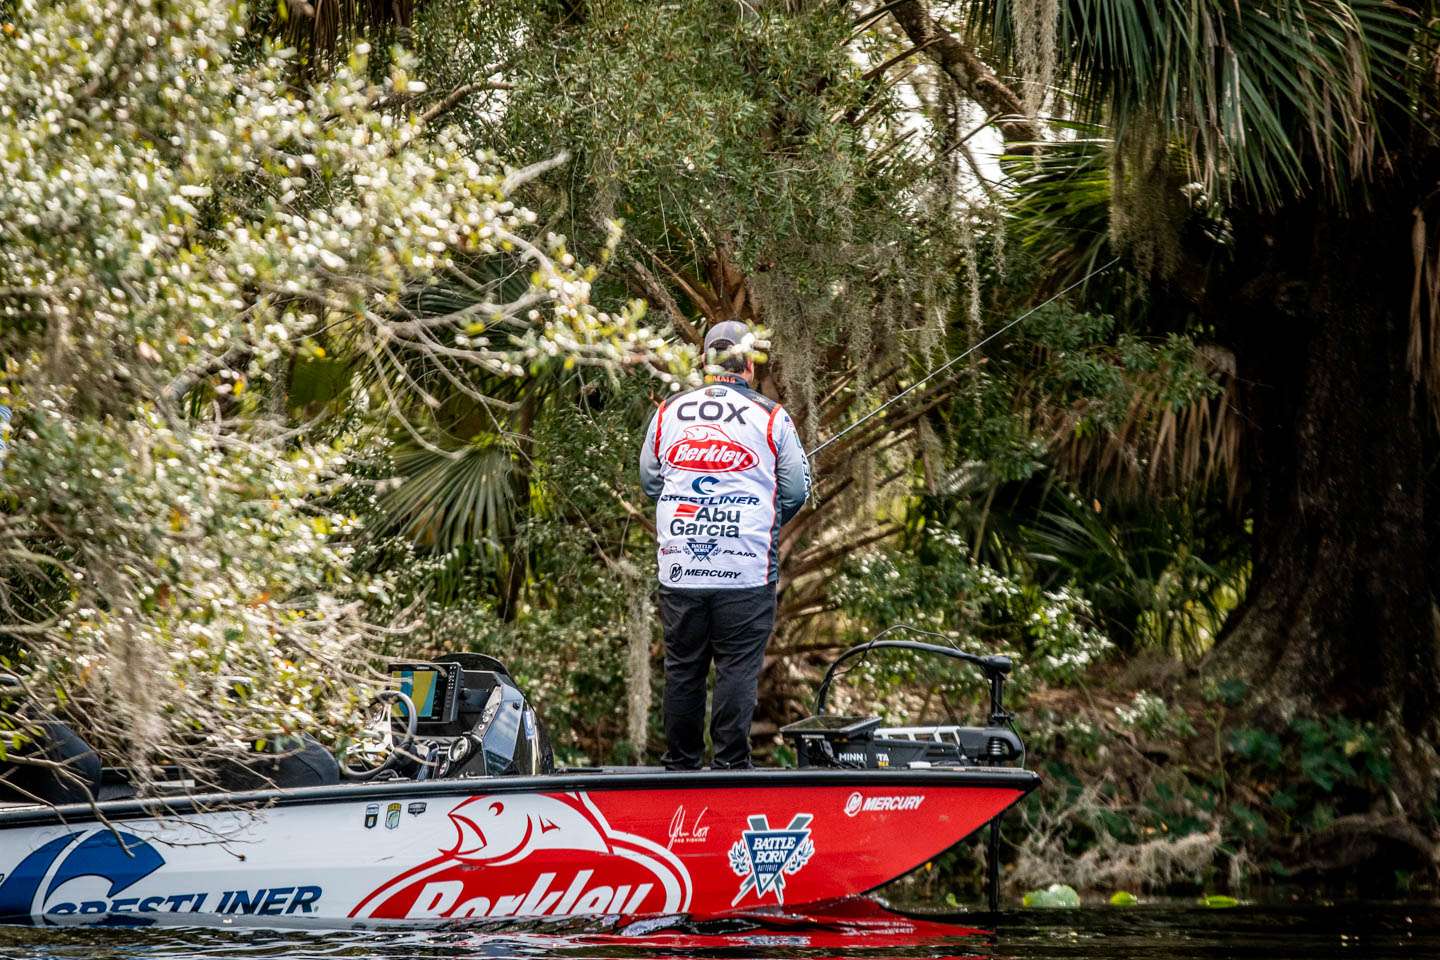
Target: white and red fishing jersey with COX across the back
{"x":726,"y":470}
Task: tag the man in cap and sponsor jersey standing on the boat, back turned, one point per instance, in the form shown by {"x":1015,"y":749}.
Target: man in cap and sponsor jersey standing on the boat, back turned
{"x":726,"y":471}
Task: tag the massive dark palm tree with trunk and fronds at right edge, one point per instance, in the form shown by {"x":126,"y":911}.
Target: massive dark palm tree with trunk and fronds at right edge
{"x":1305,"y":132}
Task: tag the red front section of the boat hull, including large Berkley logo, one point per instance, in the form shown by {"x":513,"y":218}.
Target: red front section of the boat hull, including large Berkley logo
{"x":702,"y":853}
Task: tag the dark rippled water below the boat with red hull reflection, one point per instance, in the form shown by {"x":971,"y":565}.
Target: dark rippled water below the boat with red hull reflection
{"x":1160,"y":933}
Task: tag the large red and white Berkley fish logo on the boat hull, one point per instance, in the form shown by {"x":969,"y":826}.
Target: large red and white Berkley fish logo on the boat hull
{"x":535,"y":856}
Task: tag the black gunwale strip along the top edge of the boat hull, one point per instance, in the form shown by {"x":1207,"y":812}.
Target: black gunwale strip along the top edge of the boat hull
{"x":591,"y":781}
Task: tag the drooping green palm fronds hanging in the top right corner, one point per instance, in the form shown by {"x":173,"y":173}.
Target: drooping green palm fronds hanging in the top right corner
{"x":1269,"y":97}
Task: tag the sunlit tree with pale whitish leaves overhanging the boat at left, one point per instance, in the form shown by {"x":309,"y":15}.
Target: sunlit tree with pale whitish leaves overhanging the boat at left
{"x":181,"y":222}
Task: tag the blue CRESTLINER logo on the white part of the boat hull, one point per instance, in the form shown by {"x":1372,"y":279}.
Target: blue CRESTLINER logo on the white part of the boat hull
{"x":90,"y":873}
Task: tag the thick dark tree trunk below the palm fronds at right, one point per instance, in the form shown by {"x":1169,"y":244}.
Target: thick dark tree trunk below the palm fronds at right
{"x":1341,"y":611}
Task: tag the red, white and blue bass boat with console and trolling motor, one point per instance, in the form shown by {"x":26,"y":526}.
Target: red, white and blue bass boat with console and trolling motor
{"x":464,"y":817}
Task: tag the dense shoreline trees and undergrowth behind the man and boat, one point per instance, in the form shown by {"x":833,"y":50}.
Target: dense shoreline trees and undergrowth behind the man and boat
{"x":329,"y":333}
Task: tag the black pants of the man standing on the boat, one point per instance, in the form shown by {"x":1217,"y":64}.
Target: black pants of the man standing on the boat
{"x":726,"y":627}
